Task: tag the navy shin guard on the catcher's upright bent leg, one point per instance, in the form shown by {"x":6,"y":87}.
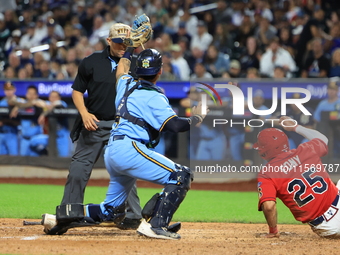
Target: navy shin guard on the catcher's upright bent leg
{"x":170,"y":199}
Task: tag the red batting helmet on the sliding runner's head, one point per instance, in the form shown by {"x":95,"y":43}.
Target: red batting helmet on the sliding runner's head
{"x":271,"y":142}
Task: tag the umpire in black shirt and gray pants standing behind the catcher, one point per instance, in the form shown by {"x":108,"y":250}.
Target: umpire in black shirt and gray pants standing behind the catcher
{"x":97,"y":76}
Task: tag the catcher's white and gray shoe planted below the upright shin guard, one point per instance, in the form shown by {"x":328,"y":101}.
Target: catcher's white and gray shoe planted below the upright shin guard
{"x":146,"y":229}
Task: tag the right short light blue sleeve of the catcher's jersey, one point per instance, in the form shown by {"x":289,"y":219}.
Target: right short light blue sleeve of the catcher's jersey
{"x":160,"y":111}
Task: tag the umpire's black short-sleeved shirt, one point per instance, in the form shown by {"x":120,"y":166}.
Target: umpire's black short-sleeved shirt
{"x":97,"y":75}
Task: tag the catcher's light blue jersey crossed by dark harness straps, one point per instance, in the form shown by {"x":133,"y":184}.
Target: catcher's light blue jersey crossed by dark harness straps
{"x":151,"y":106}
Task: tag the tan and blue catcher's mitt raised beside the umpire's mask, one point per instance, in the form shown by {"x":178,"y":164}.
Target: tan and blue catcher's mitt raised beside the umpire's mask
{"x":141,"y":32}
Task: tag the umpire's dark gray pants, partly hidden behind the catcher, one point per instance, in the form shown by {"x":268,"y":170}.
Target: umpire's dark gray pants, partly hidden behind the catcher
{"x":88,"y":150}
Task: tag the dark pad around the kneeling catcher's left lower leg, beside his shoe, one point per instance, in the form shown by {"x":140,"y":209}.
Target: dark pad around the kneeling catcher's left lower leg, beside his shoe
{"x":69,"y":212}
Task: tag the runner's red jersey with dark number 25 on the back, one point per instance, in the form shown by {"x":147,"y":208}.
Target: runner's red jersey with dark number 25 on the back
{"x":300,"y":180}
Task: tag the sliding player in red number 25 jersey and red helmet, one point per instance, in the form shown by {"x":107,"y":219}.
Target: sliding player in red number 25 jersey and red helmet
{"x":299,"y":178}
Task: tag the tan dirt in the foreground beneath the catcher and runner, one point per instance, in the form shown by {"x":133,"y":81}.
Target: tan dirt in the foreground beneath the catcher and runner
{"x":197,"y":238}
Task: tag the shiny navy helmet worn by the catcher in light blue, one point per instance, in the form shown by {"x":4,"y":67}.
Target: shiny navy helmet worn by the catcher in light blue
{"x":149,"y":62}
